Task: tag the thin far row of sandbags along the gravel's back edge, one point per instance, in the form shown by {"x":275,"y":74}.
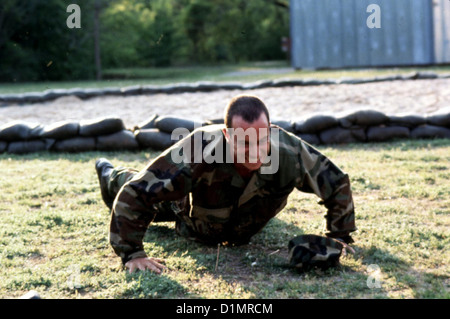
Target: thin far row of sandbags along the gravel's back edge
{"x":52,"y":94}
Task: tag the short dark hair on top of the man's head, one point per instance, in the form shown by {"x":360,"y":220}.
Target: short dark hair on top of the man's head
{"x":248,"y":106}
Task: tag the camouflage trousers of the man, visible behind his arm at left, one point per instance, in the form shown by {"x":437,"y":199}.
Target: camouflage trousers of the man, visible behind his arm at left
{"x":166,"y":211}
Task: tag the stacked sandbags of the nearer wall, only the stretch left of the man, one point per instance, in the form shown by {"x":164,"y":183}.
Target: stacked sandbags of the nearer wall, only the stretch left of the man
{"x":107,"y":134}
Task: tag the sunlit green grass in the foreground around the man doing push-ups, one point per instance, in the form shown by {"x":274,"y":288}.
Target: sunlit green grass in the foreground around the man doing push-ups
{"x":54,"y":229}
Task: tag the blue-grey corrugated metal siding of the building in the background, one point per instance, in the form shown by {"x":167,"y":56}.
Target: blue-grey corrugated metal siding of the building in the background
{"x":334,"y":33}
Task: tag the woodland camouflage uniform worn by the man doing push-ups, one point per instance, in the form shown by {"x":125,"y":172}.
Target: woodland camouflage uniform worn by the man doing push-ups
{"x":212,"y":203}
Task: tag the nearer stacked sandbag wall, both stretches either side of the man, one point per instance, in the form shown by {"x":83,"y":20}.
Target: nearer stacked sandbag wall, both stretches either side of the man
{"x":110,"y":134}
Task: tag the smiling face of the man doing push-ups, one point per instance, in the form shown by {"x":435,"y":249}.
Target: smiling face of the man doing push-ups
{"x":250,"y":141}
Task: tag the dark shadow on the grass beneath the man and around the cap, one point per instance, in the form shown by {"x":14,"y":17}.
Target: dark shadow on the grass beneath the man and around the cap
{"x":261,"y":268}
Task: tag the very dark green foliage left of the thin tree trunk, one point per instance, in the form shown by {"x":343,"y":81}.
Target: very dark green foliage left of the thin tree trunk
{"x":35,"y":43}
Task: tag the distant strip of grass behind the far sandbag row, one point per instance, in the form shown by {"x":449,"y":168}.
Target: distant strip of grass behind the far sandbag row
{"x":244,"y":72}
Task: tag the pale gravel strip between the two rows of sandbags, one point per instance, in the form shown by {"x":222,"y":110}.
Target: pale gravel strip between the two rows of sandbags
{"x":289,"y":103}
